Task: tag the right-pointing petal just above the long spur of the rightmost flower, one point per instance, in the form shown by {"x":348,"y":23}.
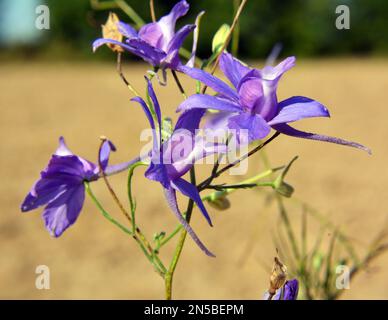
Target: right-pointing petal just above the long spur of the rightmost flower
{"x":297,"y":108}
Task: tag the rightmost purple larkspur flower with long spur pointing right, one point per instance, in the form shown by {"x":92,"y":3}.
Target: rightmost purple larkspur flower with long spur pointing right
{"x":252,"y":102}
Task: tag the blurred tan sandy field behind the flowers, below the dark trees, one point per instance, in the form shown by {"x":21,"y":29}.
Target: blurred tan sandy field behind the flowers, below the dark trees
{"x":40,"y":102}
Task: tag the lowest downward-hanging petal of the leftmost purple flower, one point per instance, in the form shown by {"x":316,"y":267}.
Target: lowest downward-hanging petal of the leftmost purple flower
{"x":64,"y":210}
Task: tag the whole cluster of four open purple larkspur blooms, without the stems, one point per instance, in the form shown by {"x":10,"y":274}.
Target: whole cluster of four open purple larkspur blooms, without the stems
{"x":249,"y":103}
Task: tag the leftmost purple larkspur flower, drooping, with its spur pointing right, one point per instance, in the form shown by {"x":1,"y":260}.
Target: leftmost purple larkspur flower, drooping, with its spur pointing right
{"x":61,"y":185}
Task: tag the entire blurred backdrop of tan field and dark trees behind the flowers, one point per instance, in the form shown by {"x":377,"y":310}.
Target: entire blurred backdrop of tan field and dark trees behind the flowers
{"x":51,"y":84}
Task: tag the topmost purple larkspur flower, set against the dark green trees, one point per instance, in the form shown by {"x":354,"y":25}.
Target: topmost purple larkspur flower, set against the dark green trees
{"x":157,"y":43}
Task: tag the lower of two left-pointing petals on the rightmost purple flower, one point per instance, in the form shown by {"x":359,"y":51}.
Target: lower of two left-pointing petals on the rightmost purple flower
{"x":205,"y":101}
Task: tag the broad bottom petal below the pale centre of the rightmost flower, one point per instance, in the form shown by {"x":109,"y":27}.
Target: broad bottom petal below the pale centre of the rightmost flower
{"x":256,"y":126}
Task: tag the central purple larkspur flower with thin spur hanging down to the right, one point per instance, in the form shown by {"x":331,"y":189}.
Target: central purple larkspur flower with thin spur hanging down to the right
{"x":171,"y":159}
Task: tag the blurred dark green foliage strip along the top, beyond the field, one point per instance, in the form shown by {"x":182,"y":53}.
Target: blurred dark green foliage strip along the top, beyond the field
{"x":303,"y":27}
